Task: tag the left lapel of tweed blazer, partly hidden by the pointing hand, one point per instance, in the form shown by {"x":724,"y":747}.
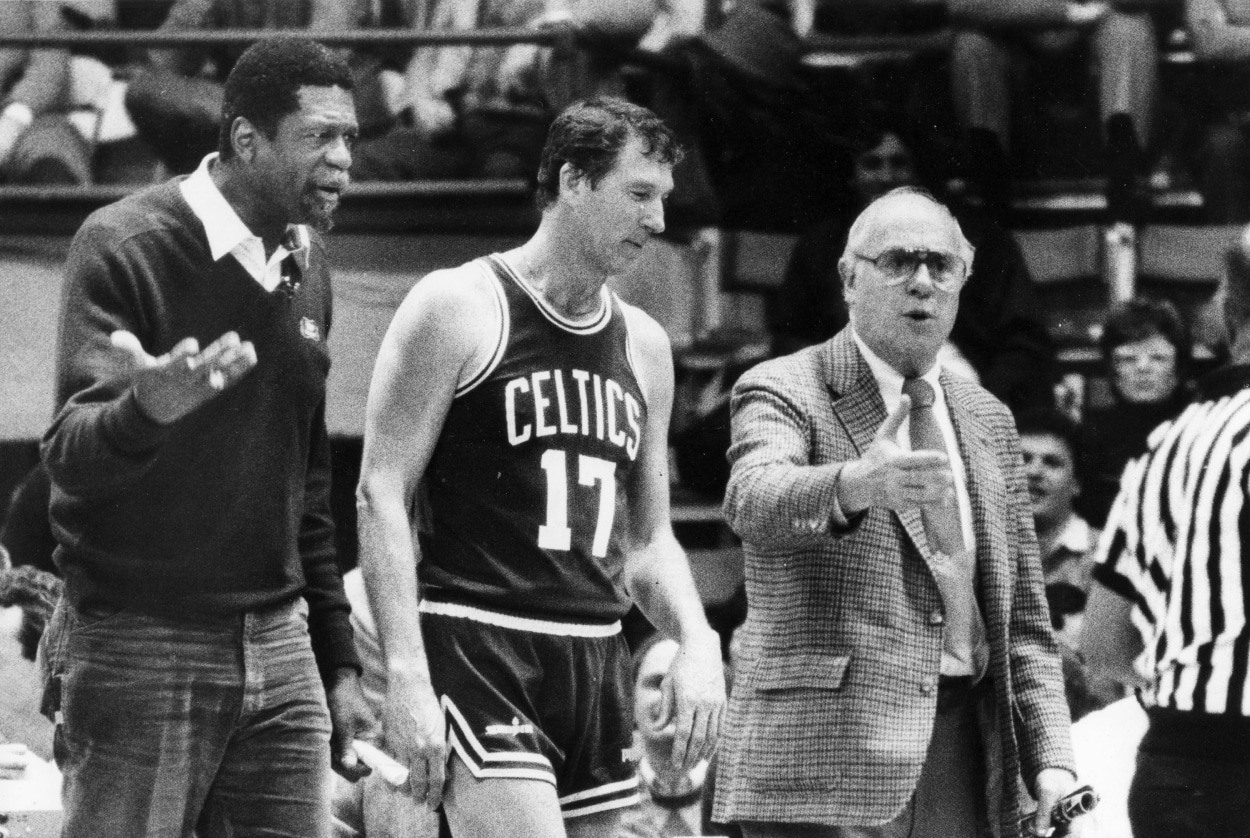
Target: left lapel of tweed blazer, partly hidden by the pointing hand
{"x":861,"y":410}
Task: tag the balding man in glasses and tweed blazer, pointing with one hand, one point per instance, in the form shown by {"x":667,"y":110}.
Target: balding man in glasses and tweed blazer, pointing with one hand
{"x":898,"y":674}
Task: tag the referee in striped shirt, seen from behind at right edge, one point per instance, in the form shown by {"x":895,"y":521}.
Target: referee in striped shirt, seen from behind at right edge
{"x":1174,"y":552}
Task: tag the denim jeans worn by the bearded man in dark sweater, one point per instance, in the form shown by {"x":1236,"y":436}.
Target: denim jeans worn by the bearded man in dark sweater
{"x":171,"y":726}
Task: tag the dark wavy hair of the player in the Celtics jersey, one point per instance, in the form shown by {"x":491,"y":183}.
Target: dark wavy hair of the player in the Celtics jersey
{"x":589,"y":136}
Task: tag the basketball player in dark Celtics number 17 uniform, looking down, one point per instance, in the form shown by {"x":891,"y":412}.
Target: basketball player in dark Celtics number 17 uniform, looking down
{"x":533,"y":406}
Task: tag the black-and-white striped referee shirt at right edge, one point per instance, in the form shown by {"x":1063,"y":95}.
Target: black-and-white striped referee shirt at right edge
{"x":1174,"y":546}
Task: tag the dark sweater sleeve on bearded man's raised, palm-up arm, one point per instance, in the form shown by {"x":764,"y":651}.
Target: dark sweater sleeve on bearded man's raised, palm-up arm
{"x":101,"y":441}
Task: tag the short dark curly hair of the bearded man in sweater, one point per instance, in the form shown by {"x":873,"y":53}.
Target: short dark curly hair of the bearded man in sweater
{"x":264,"y":86}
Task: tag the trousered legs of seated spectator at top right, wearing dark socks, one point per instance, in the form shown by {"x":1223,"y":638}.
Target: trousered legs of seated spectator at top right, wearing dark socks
{"x":997,"y":42}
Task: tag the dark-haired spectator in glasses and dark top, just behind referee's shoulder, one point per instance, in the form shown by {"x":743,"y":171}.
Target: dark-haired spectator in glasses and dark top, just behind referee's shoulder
{"x":1147,"y":348}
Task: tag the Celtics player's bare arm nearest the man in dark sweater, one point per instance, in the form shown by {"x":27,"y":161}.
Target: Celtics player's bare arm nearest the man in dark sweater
{"x":433,"y":340}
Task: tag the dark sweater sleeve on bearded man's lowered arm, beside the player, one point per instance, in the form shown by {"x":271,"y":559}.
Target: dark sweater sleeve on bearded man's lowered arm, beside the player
{"x":329,"y":625}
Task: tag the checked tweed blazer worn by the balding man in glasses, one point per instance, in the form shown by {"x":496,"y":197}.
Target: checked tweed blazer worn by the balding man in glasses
{"x":836,"y":691}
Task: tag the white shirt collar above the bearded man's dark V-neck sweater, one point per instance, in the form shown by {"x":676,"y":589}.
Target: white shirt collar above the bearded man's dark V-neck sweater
{"x":228,"y":235}
